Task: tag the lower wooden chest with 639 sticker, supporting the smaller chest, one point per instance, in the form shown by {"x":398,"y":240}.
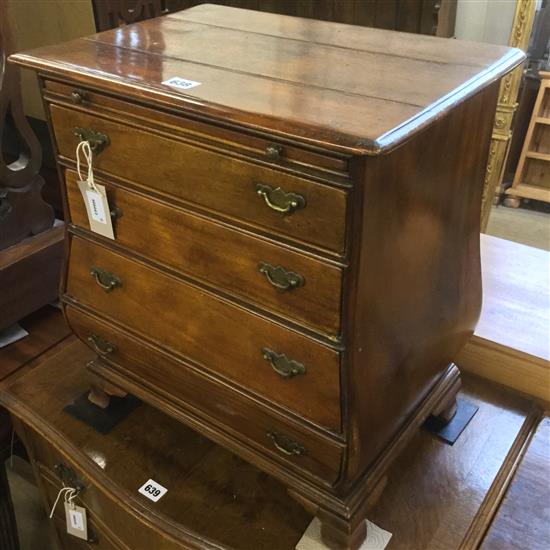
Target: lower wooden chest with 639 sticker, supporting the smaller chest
{"x":216,"y":500}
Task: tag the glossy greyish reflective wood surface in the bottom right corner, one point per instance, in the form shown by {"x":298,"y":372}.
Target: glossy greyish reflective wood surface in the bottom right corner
{"x":523,"y":519}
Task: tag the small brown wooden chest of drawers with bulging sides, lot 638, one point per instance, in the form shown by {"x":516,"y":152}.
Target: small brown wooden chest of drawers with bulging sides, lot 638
{"x":296,"y":213}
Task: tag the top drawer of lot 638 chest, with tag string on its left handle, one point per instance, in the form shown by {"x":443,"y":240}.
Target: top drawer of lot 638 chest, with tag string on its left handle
{"x":233,"y":188}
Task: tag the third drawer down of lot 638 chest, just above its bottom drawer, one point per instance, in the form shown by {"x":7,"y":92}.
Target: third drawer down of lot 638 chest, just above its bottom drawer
{"x":279,"y":365}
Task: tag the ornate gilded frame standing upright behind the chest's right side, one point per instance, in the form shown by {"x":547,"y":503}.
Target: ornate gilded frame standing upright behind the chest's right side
{"x":506,"y":107}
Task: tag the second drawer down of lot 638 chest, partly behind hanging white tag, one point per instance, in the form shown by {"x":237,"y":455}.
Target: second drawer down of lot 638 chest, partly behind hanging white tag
{"x":253,"y":269}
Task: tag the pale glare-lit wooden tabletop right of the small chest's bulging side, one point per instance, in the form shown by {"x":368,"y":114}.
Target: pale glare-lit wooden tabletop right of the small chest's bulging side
{"x":510,"y":344}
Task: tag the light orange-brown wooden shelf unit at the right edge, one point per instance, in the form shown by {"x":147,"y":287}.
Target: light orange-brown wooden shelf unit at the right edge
{"x":532,"y":178}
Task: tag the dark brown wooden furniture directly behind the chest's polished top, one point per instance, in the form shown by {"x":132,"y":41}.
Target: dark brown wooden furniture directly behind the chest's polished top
{"x":435,"y":17}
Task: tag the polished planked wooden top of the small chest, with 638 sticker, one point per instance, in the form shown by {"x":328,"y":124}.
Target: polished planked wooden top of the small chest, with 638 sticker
{"x":349,"y":89}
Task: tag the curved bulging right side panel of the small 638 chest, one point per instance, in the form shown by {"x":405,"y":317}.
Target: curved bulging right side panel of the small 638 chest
{"x":427,"y":231}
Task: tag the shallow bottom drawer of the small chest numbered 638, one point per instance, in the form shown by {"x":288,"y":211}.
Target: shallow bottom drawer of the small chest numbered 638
{"x":195,"y":393}
